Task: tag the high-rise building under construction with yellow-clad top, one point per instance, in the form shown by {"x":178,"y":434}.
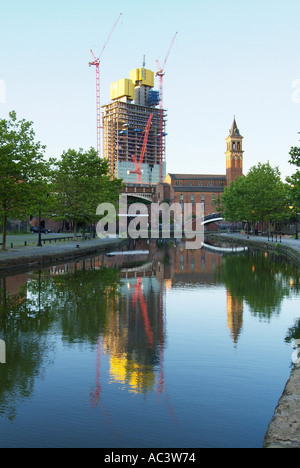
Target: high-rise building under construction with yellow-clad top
{"x":134,"y":130}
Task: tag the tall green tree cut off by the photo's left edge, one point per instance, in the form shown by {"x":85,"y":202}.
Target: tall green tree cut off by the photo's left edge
{"x":23,"y":171}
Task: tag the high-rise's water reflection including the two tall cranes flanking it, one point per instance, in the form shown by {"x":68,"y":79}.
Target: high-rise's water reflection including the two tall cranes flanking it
{"x":134,"y":339}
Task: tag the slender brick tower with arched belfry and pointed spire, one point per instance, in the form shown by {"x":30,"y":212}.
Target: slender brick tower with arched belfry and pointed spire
{"x":234,"y":154}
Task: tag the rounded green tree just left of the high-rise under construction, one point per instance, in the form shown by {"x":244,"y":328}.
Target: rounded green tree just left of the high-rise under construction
{"x":81,"y":181}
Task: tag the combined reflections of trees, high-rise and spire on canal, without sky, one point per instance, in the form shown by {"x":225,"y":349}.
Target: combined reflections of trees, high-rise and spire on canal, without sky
{"x":117,"y":305}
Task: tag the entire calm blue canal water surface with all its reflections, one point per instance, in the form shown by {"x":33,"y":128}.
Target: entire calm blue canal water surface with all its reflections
{"x":162,"y":347}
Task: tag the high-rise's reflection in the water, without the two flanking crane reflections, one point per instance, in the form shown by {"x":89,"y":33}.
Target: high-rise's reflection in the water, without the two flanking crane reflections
{"x":132,"y":334}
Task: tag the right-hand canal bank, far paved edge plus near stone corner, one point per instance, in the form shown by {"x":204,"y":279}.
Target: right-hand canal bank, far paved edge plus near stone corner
{"x":284,"y":428}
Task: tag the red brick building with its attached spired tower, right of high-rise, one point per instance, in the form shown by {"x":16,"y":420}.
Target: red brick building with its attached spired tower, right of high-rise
{"x":205,"y":188}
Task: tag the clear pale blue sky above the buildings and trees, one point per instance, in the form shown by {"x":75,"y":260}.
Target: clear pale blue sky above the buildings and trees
{"x":230,"y":58}
